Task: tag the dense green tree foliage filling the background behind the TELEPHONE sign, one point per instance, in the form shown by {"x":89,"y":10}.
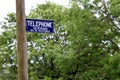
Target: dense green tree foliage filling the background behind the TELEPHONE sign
{"x":79,"y":49}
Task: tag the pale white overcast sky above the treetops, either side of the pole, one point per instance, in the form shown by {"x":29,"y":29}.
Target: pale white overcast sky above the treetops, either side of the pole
{"x":7,"y":6}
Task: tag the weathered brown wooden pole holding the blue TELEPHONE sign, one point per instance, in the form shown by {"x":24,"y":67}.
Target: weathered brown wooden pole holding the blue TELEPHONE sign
{"x":21,"y":41}
